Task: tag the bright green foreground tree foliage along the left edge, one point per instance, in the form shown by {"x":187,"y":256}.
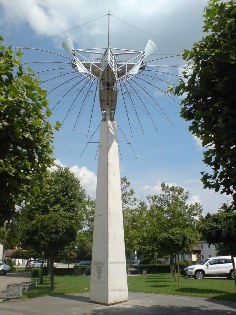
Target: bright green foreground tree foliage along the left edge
{"x":25,"y":133}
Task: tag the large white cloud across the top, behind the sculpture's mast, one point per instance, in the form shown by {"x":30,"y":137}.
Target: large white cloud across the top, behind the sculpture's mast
{"x":167,"y":19}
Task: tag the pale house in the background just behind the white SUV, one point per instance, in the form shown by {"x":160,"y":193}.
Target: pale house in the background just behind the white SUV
{"x":201,"y":251}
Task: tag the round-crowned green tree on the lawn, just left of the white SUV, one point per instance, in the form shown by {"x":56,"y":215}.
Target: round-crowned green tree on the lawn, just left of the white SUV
{"x":172,"y":222}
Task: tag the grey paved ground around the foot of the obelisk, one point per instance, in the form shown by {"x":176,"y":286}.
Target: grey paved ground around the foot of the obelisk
{"x":138,"y":304}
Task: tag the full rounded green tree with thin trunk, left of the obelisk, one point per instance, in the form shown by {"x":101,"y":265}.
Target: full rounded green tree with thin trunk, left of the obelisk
{"x":52,"y":219}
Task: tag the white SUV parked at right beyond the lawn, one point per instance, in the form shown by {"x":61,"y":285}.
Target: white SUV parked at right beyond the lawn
{"x":214,"y":266}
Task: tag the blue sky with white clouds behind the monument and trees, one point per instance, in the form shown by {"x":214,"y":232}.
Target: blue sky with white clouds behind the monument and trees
{"x":171,"y":155}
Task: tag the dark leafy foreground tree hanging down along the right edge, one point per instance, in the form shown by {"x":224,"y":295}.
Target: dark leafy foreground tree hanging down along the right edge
{"x":208,"y":87}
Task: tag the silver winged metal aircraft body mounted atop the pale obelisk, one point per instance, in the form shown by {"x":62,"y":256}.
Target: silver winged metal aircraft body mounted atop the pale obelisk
{"x":109,"y":70}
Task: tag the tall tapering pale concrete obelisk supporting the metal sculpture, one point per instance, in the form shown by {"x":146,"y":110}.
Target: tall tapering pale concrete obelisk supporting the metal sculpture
{"x":108,"y":272}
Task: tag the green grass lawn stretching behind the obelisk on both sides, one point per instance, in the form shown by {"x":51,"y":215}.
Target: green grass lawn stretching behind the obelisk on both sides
{"x":164,"y":283}
